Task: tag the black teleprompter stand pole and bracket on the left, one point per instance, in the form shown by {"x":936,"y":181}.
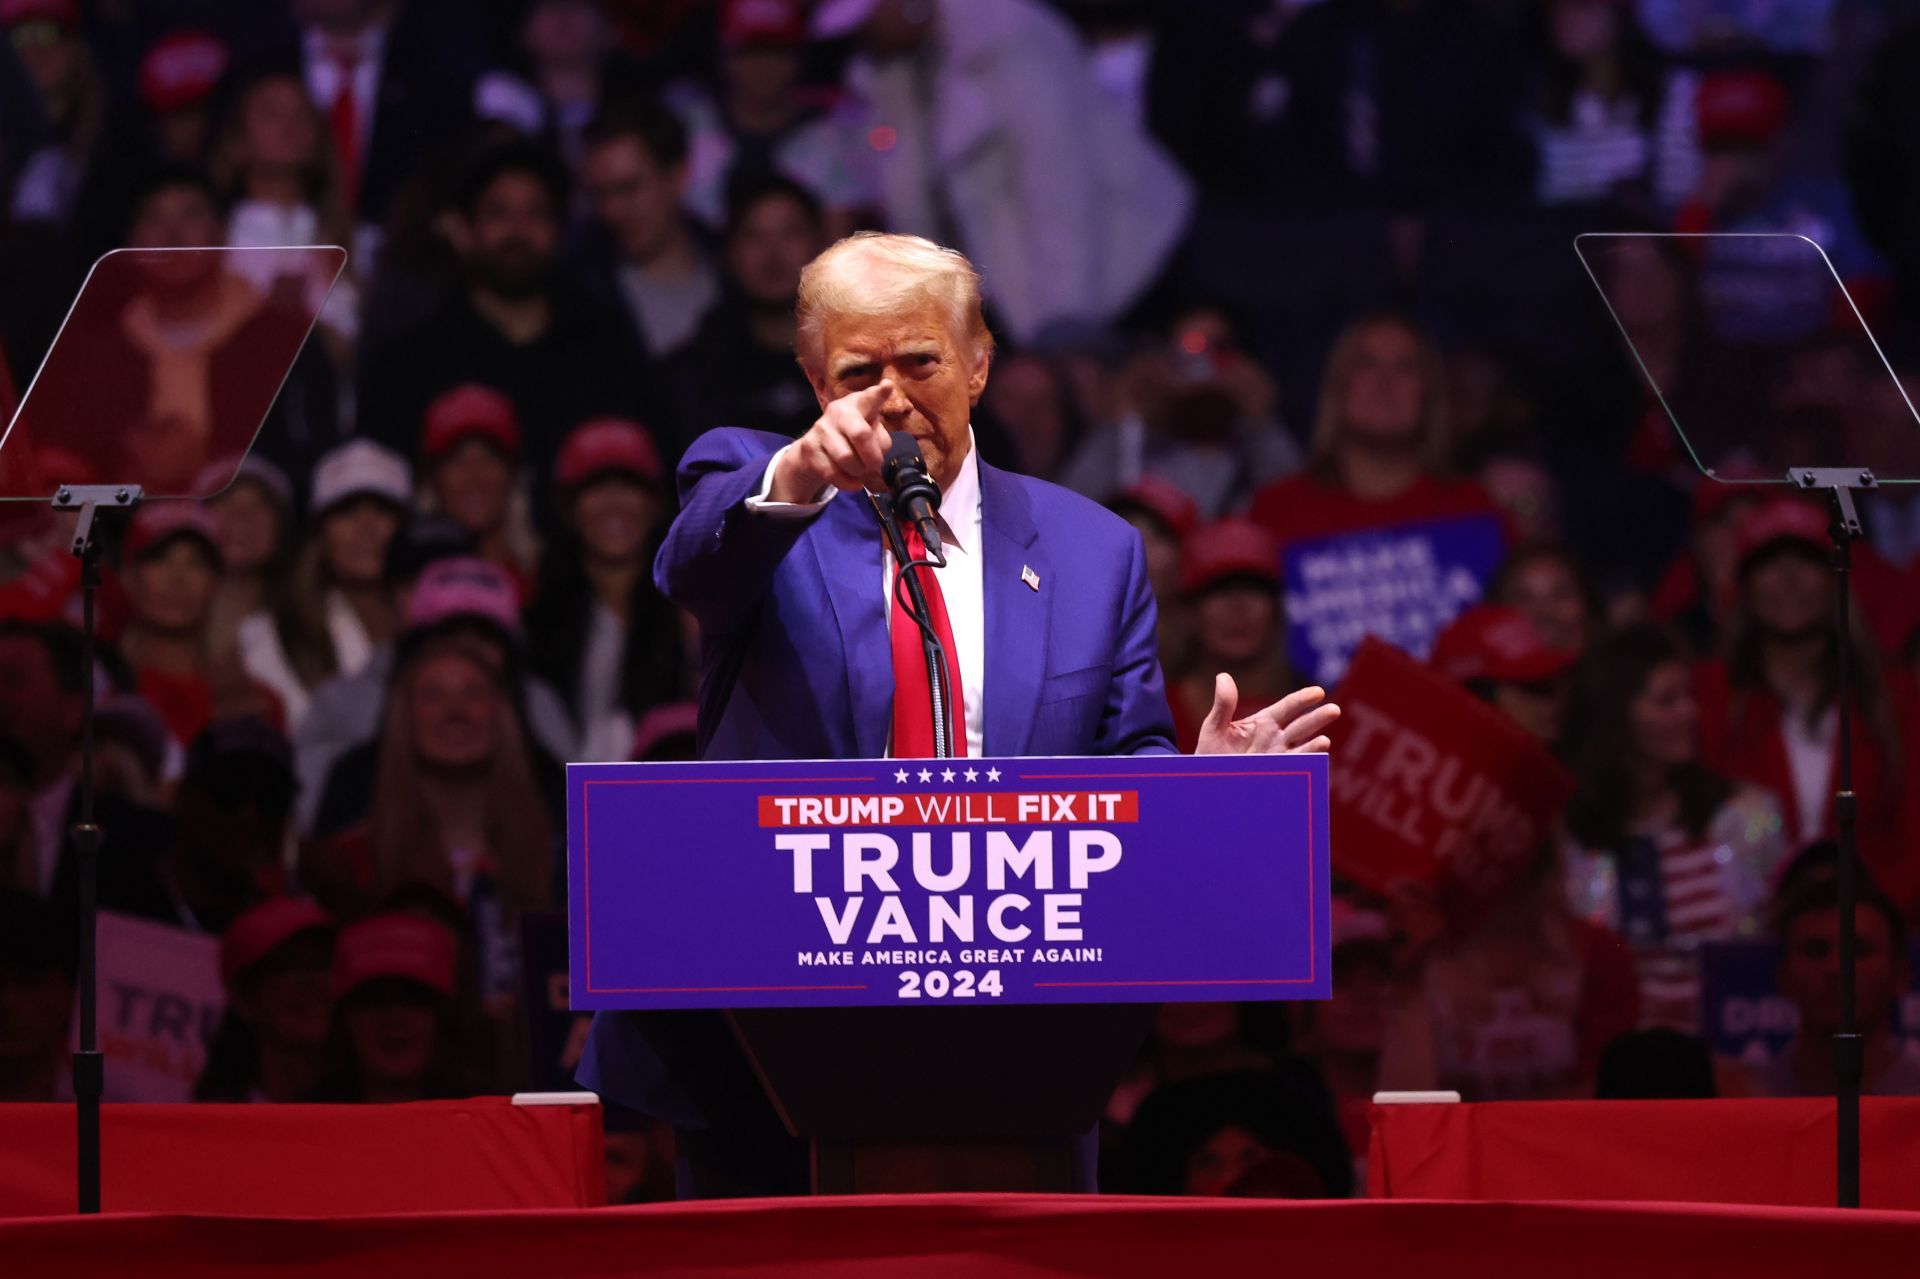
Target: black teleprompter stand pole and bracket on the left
{"x":99,"y":506}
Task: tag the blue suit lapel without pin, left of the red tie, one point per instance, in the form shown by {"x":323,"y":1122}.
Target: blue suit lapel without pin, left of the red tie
{"x":848,"y":550}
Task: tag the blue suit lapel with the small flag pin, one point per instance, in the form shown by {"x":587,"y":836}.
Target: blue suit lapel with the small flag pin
{"x":1017,"y":614}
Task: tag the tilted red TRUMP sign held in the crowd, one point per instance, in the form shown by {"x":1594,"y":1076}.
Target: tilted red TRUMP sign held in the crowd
{"x":1431,"y":784}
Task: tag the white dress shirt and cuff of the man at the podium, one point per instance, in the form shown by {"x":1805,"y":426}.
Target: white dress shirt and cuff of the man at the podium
{"x":961,"y":579}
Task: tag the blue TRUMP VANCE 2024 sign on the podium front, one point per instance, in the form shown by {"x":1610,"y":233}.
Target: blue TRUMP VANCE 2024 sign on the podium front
{"x":1011,"y":881}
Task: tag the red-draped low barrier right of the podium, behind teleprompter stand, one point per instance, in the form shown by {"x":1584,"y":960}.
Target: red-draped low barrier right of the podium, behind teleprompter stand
{"x":1716,"y":1151}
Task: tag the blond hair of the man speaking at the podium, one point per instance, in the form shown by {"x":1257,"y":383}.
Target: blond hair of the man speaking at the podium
{"x":880,"y":274}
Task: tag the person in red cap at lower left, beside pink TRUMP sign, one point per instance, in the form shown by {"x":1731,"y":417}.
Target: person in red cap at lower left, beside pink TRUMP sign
{"x":277,"y":969}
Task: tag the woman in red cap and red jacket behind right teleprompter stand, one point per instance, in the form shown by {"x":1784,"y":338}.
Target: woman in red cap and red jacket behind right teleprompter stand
{"x":1769,"y":710}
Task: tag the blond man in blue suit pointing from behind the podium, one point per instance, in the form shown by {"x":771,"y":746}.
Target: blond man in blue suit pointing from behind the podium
{"x":1044,"y":608}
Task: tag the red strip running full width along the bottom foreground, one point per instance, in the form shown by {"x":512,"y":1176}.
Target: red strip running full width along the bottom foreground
{"x":984,"y":1236}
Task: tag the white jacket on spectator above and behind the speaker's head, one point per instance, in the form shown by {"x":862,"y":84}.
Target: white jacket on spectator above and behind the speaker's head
{"x":1003,"y":135}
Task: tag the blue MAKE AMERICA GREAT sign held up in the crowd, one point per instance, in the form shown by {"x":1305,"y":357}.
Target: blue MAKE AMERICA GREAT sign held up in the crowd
{"x":1403,"y":585}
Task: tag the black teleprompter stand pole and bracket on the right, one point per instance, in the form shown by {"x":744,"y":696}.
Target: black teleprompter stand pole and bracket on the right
{"x":1840,"y":483}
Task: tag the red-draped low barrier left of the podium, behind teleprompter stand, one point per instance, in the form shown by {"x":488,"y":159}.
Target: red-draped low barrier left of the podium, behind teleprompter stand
{"x":310,"y":1161}
